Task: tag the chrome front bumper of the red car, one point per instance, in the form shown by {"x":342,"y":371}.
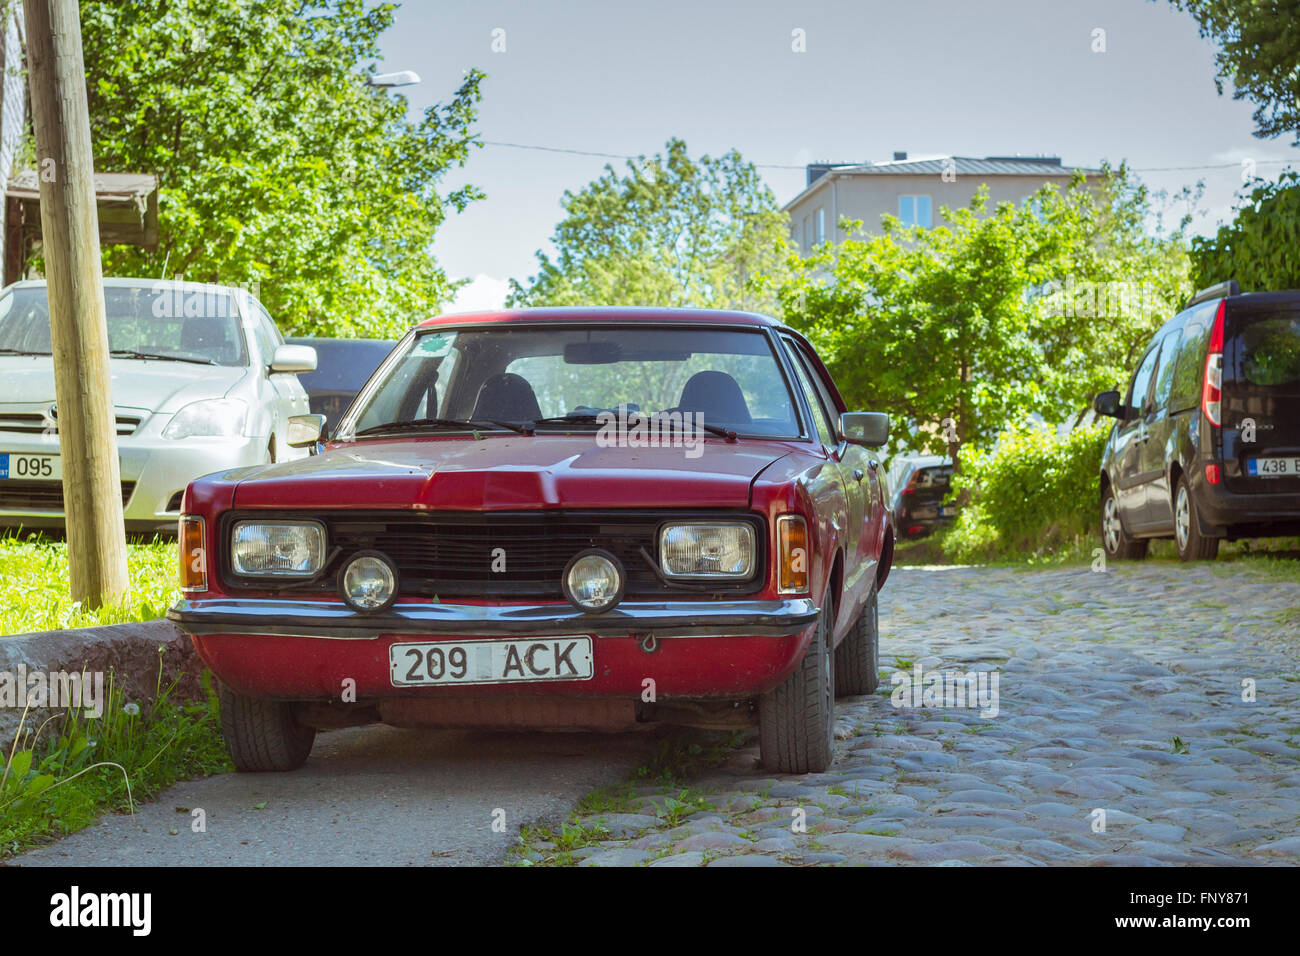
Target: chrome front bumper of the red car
{"x":336,"y":620}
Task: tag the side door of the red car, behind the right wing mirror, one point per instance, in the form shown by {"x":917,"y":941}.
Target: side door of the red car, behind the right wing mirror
{"x":852,"y":469}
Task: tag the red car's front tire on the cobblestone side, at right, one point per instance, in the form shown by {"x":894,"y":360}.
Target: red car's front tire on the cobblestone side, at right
{"x":796,"y":721}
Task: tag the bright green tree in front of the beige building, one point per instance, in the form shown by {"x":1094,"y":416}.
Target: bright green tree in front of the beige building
{"x":995,"y":315}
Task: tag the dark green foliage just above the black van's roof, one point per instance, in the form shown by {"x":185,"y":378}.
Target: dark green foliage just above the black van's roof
{"x":1256,"y":249}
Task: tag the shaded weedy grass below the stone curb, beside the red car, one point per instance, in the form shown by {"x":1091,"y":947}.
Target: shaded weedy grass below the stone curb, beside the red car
{"x":73,"y":769}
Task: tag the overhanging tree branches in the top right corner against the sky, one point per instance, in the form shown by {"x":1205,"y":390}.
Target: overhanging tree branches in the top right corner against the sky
{"x":1259,"y":53}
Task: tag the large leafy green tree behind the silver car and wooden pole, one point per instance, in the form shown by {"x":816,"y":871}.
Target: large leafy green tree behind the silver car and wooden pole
{"x":279,"y":167}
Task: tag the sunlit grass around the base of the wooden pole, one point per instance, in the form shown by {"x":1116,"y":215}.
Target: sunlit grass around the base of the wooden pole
{"x":34,"y":585}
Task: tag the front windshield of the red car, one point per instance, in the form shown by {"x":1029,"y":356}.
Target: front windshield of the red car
{"x":729,"y":379}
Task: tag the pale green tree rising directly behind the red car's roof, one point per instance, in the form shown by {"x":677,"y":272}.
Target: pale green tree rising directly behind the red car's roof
{"x":669,"y":232}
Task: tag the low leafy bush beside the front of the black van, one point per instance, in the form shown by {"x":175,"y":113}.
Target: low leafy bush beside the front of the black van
{"x":1034,"y":492}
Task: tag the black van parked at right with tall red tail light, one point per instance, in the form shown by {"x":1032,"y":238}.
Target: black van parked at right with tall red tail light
{"x":1207,"y":445}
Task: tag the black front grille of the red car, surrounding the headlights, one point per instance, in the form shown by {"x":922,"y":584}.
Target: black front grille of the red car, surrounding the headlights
{"x":454,"y":555}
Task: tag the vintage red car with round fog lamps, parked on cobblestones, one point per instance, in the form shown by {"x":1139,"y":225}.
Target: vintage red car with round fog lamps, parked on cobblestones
{"x":575,"y":520}
